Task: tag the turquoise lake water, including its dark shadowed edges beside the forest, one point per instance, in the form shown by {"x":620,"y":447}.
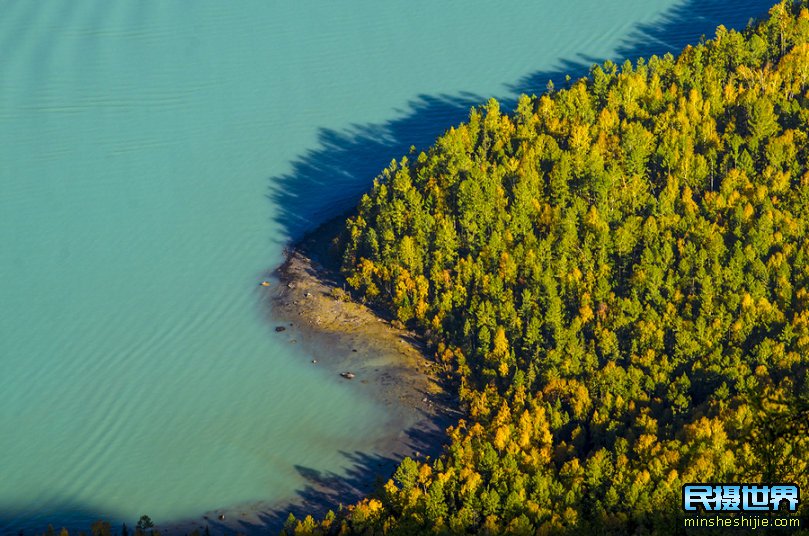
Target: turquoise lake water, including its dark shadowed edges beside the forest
{"x":155,"y":158}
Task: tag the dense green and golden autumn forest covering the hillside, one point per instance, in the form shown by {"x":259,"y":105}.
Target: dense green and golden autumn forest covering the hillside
{"x":616,"y":279}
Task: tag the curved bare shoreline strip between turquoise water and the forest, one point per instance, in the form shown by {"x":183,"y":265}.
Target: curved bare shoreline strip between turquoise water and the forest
{"x":391,"y":366}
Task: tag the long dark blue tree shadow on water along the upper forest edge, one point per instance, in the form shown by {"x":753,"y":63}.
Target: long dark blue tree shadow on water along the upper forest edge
{"x":328,"y":180}
